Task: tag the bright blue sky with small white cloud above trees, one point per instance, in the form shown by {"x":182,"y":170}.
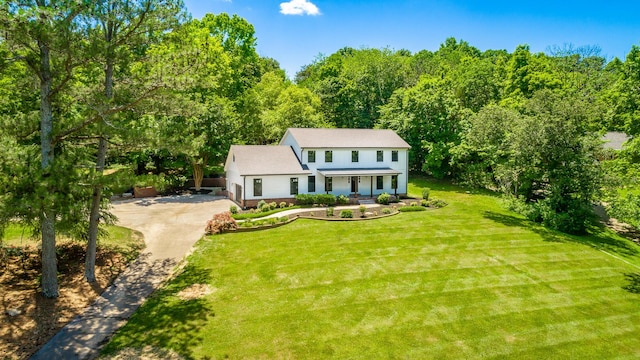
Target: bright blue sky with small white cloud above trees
{"x":294,"y":32}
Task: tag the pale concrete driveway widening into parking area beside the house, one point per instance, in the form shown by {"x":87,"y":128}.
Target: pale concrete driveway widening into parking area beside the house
{"x":170,"y":225}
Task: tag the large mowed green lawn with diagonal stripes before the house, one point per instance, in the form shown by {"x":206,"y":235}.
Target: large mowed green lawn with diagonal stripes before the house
{"x":470,"y":280}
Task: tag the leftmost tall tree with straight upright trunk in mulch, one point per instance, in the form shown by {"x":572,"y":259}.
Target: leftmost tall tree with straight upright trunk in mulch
{"x":47,"y":37}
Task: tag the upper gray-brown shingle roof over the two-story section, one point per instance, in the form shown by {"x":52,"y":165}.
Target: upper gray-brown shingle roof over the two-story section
{"x":348,"y":138}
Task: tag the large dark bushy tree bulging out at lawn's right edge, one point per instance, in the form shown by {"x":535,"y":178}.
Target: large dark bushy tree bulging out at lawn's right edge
{"x":546,"y":156}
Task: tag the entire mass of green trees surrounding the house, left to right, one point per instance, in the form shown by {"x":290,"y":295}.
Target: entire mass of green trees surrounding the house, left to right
{"x":139,"y":86}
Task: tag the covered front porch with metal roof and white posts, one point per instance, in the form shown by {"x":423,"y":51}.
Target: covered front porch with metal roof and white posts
{"x":360,"y":182}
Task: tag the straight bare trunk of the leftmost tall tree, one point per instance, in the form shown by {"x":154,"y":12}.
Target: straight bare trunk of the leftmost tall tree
{"x":47,"y":216}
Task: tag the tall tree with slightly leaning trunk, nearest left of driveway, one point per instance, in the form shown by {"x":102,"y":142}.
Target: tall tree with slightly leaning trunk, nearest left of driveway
{"x":121,"y":26}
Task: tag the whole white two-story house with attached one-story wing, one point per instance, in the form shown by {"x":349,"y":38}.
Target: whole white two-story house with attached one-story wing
{"x":352,"y":162}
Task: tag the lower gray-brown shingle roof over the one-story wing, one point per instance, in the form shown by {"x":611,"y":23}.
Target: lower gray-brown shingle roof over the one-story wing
{"x":266,"y":160}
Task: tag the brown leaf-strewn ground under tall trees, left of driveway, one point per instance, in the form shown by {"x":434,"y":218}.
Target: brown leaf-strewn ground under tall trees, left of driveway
{"x":28,"y":319}
